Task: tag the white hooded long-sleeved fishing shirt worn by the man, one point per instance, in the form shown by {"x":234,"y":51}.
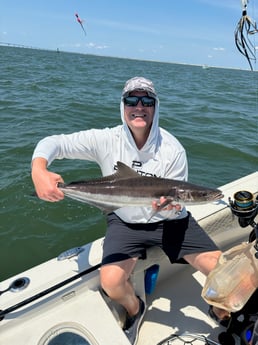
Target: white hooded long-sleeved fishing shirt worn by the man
{"x":161,"y":156}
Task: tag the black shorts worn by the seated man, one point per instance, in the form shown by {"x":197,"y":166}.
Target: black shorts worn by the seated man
{"x":177,"y":238}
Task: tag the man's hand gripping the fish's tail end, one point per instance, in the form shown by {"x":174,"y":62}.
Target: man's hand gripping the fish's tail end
{"x":45,"y":182}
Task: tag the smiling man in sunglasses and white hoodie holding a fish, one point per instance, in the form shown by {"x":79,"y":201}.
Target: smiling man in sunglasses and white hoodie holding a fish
{"x":140,"y":143}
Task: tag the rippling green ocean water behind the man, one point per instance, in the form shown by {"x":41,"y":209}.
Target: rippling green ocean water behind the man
{"x":213,"y":112}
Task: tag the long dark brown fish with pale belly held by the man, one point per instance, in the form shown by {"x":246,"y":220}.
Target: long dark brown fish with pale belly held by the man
{"x":126,"y":188}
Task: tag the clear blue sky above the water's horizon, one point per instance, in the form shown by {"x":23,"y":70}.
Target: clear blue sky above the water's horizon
{"x":179,"y":31}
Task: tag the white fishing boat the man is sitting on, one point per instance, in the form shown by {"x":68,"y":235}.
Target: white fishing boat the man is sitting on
{"x":60,"y":301}
